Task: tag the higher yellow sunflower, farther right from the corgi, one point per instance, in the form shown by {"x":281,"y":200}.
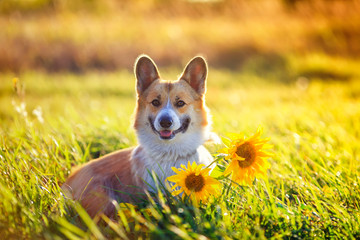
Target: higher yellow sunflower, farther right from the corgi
{"x":247,"y":157}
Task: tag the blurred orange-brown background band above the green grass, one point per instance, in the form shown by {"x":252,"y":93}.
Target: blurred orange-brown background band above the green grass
{"x":265,"y":37}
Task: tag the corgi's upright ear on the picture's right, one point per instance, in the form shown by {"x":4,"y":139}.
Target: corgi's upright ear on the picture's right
{"x":195,"y":74}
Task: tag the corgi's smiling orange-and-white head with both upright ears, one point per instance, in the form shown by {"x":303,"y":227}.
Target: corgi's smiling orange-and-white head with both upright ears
{"x":171,"y":112}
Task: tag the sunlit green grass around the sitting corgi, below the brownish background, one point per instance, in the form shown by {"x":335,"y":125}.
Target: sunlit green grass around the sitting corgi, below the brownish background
{"x":312,"y":190}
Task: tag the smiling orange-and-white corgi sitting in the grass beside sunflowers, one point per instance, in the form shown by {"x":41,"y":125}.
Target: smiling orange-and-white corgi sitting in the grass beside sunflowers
{"x":171,"y":123}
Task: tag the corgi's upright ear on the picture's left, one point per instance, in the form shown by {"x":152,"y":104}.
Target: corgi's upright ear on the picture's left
{"x":146,"y":72}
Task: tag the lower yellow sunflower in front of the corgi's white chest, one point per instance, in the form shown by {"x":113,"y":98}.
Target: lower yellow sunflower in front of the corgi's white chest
{"x":194,"y":181}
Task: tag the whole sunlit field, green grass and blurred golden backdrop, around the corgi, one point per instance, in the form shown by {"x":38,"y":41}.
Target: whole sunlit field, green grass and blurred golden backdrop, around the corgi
{"x":67,"y":94}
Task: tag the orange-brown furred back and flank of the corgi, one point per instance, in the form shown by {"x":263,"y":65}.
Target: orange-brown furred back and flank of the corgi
{"x":100,"y":181}
